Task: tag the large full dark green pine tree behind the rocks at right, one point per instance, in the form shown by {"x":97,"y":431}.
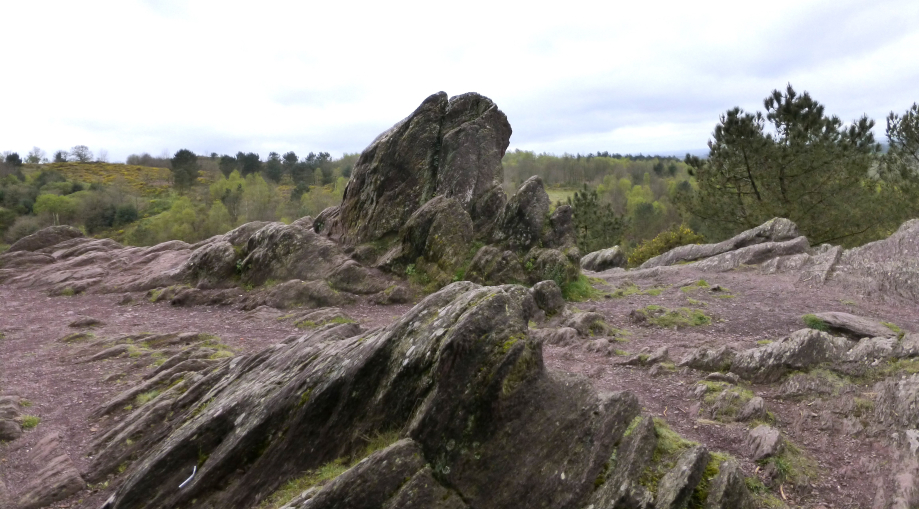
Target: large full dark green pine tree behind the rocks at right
{"x":811,"y":169}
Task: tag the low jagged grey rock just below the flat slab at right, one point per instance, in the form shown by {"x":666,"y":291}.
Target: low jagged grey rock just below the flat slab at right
{"x":799,"y":351}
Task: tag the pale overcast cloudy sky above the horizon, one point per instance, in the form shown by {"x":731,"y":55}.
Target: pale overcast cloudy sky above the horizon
{"x":133,"y":76}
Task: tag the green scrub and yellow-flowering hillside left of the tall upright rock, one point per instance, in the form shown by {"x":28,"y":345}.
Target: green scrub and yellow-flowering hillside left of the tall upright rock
{"x":153,"y":199}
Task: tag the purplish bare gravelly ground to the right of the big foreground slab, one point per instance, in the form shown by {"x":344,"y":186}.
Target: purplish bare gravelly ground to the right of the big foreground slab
{"x":752,"y":308}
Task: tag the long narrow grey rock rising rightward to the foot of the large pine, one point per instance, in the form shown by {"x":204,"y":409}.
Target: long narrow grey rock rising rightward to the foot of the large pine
{"x":775,"y":231}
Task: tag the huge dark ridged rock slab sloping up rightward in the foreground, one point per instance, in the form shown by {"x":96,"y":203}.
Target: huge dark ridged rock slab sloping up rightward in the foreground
{"x":457,"y":374}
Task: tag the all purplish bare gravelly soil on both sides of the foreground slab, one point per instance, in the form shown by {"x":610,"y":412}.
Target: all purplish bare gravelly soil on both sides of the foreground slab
{"x":35,"y":366}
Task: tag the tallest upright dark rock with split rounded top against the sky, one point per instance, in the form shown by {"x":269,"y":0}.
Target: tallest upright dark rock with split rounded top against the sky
{"x":445,"y":147}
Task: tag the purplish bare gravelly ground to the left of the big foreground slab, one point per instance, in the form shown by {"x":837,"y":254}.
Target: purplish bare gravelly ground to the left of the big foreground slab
{"x":38,"y":368}
